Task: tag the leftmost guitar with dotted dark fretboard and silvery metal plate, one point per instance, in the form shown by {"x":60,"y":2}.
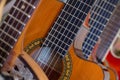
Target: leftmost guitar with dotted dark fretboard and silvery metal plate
{"x":12,"y":60}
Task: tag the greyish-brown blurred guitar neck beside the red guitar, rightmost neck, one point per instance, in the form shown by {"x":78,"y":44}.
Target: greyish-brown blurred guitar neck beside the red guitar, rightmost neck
{"x":109,"y":34}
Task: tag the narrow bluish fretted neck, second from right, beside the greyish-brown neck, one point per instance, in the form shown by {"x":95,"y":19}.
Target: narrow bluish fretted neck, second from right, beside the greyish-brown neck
{"x":100,"y":15}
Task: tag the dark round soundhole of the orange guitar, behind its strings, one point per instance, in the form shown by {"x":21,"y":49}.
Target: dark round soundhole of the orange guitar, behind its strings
{"x":50,"y":62}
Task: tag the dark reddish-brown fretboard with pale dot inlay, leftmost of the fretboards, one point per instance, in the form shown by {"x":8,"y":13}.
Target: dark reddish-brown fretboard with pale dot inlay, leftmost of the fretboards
{"x":13,"y":25}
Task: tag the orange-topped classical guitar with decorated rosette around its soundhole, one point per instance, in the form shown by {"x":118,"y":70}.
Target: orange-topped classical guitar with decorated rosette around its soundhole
{"x":50,"y":51}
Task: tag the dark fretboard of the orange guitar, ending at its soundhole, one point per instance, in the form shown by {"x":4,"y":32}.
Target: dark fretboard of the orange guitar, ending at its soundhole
{"x":67,"y":25}
